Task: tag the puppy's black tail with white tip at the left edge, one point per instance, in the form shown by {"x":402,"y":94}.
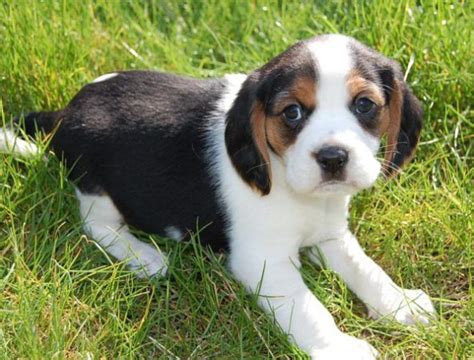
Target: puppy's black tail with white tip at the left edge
{"x":18,"y":138}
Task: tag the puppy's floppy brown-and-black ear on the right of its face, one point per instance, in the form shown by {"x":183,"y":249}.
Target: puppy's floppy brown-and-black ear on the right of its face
{"x":403,"y":132}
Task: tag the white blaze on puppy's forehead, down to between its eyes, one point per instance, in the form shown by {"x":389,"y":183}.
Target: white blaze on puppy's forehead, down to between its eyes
{"x":334,"y":63}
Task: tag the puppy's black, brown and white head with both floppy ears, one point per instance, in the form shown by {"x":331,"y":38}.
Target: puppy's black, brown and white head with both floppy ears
{"x":320,"y":110}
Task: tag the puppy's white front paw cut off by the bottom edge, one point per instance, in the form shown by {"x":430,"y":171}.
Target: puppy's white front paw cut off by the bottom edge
{"x":345,"y":347}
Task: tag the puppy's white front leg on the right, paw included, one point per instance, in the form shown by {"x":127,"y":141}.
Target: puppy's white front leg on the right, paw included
{"x":372,"y":285}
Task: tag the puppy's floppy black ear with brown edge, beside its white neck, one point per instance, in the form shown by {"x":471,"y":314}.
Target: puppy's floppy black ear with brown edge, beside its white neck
{"x":245,"y":138}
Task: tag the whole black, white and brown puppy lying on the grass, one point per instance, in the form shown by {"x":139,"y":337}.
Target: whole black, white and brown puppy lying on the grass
{"x":266,"y":163}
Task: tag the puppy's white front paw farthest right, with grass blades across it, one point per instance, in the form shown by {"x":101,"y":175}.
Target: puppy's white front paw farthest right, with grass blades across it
{"x":410,"y":307}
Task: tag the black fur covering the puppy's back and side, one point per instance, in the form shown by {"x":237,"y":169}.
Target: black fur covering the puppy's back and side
{"x":140,"y":138}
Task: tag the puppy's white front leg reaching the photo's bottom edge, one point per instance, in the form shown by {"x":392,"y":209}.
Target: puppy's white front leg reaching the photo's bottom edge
{"x":272,"y":272}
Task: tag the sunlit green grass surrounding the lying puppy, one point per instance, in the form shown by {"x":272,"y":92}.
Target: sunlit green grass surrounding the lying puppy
{"x":62,"y":297}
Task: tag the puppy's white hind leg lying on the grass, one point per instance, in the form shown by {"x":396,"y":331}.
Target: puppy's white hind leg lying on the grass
{"x":104,"y":223}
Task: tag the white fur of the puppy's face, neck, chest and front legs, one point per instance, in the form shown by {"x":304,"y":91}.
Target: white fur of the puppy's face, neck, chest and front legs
{"x":267,"y":232}
